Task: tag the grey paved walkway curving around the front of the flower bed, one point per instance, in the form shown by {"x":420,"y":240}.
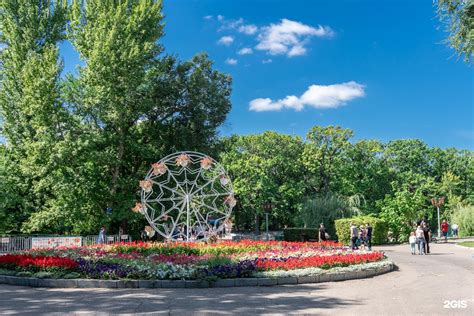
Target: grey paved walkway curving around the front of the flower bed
{"x":420,"y":287}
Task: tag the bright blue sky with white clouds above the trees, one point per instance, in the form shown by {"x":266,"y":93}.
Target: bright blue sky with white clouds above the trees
{"x":377,"y":67}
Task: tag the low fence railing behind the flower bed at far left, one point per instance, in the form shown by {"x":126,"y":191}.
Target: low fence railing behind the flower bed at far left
{"x":19,"y":243}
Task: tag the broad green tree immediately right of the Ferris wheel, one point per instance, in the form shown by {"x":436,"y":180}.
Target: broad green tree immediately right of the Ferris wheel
{"x":265,"y":167}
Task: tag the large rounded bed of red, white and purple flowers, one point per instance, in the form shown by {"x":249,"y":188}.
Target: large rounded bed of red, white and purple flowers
{"x":189,"y":261}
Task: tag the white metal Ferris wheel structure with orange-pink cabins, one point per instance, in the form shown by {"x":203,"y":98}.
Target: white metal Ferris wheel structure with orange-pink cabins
{"x":186,"y":196}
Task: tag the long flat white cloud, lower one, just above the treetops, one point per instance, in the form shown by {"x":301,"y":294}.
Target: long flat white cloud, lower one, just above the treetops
{"x":317,"y":96}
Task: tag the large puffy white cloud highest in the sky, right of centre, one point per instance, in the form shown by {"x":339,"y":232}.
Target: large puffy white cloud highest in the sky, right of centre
{"x":289,"y":37}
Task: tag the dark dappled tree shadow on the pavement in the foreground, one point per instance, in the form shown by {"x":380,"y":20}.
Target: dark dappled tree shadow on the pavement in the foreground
{"x":248,"y":300}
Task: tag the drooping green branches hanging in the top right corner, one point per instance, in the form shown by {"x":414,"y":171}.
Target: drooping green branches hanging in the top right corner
{"x":458,"y":16}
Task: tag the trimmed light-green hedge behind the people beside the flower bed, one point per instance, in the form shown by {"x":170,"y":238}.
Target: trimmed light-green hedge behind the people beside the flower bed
{"x":379,"y":228}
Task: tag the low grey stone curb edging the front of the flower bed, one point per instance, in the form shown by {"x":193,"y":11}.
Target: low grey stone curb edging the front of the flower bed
{"x":330,"y":276}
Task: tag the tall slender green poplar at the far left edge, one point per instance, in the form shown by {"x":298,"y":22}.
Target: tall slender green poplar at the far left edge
{"x":30,"y":105}
